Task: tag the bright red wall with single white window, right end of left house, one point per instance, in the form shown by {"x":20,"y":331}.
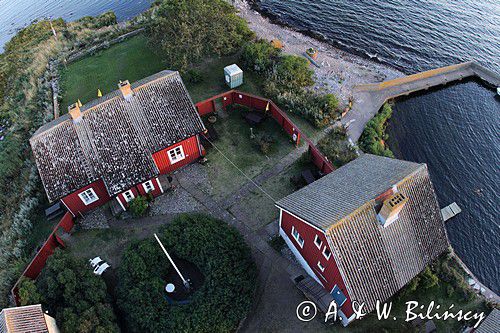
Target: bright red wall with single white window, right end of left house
{"x":191,"y":151}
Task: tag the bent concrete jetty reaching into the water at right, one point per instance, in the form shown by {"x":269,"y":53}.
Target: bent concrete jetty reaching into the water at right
{"x":369,"y":98}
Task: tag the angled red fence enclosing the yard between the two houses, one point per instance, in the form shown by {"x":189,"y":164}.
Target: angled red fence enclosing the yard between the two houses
{"x":255,"y":102}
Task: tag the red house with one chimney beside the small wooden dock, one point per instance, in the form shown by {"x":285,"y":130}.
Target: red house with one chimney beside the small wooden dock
{"x":365,"y":230}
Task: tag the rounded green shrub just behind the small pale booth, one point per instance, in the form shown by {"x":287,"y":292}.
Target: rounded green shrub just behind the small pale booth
{"x":259,"y":56}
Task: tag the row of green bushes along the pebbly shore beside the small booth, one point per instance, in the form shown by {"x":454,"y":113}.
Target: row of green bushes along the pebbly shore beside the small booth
{"x":287,"y":80}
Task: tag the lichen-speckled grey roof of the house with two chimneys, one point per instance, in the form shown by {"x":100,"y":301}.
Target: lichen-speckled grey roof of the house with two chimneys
{"x":116,"y":138}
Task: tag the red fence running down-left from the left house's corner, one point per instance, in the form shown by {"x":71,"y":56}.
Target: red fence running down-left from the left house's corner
{"x":36,"y":265}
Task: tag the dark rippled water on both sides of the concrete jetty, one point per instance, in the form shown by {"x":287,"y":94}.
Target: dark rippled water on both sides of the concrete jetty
{"x":454,"y":130}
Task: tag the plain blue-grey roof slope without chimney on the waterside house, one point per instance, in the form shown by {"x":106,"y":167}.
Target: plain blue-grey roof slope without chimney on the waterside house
{"x":329,"y":199}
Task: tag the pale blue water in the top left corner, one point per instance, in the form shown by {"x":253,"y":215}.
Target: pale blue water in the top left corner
{"x":16,"y":14}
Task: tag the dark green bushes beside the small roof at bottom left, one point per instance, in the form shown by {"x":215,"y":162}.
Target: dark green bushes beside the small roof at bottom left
{"x":69,"y":291}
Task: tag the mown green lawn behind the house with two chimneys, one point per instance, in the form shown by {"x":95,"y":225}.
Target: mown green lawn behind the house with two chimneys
{"x":129,"y":60}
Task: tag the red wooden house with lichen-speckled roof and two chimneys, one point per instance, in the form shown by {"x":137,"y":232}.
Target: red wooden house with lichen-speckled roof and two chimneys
{"x":117,"y":145}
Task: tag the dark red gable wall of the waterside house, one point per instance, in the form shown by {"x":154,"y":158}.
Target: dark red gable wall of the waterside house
{"x":311,"y":254}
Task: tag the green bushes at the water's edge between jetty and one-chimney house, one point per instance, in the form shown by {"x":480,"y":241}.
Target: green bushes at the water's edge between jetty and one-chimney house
{"x":373,"y":138}
